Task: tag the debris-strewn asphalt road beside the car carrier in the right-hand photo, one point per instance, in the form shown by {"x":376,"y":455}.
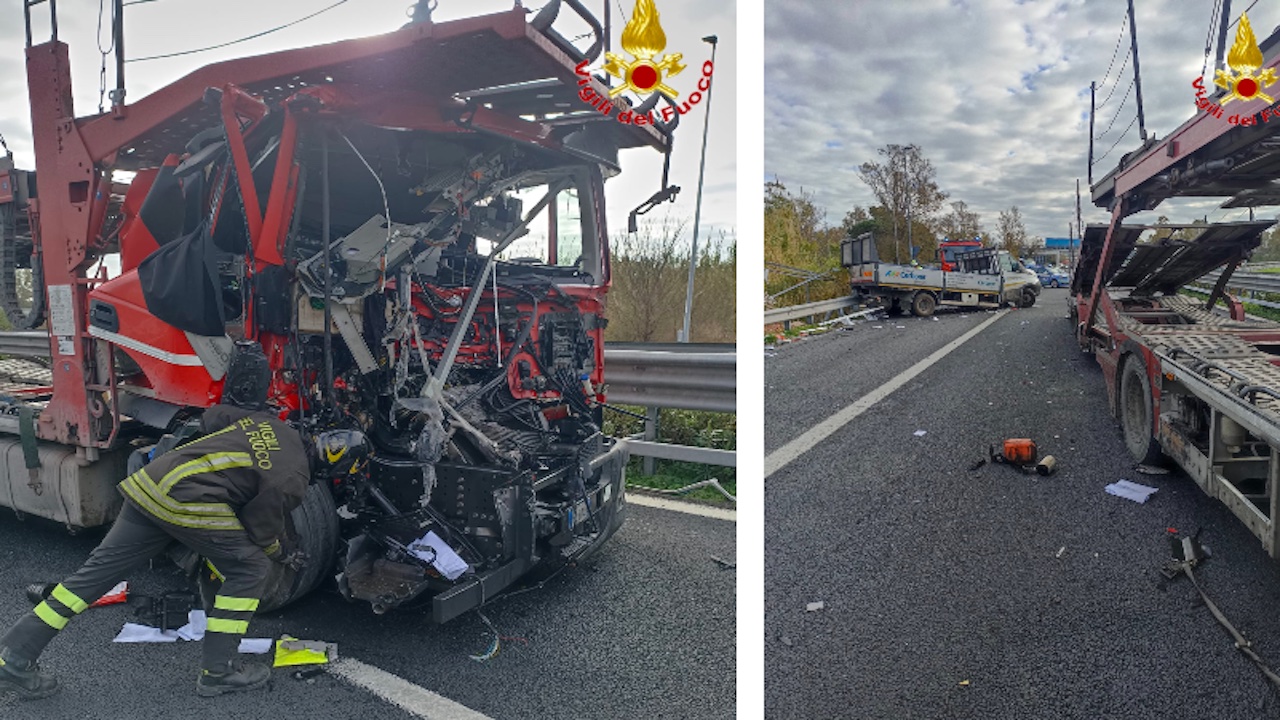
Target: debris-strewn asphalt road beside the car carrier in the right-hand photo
{"x":989,"y":595}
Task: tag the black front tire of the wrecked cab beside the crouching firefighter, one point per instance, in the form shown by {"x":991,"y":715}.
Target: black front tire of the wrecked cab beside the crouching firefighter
{"x":316,"y":532}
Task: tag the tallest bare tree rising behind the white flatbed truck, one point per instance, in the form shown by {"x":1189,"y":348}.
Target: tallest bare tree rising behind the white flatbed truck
{"x":906,"y":185}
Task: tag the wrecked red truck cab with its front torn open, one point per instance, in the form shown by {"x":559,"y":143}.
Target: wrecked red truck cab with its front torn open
{"x":404,"y":235}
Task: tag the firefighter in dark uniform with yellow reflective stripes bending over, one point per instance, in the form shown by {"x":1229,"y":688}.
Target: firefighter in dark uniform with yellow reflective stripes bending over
{"x":226,"y":496}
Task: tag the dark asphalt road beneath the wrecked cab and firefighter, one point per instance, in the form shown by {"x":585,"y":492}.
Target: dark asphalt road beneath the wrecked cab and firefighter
{"x":644,"y":630}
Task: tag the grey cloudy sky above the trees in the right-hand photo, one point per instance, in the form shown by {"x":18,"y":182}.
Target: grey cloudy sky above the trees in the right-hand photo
{"x":996,"y":93}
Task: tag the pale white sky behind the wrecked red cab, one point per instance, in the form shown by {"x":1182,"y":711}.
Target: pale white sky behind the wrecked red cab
{"x":168,"y":26}
